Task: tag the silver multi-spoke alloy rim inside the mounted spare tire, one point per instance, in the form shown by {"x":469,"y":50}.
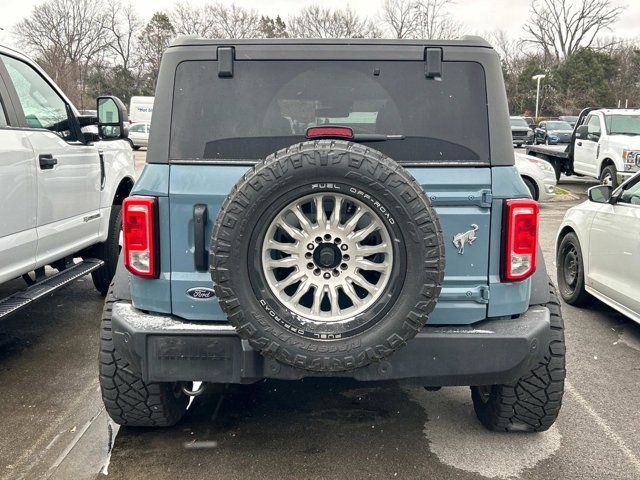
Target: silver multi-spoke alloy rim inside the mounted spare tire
{"x":327,"y":257}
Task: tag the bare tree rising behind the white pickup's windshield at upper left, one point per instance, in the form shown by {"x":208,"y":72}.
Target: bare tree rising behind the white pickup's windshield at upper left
{"x":66,"y":36}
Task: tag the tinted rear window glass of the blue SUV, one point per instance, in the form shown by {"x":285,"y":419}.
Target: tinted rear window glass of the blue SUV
{"x":268,"y":105}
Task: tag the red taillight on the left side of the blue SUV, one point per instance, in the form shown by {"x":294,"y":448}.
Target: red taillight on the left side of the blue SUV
{"x":139,"y":235}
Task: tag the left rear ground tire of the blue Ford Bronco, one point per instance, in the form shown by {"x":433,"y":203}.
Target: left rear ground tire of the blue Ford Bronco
{"x":127,"y":398}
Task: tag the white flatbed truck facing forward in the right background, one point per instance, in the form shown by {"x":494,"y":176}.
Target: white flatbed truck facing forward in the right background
{"x":605,"y":144}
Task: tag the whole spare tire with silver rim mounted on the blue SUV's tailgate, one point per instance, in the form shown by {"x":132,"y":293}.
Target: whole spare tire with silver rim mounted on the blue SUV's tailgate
{"x":327,"y":256}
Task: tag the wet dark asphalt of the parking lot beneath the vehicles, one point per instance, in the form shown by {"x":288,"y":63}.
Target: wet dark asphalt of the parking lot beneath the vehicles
{"x":54,"y":426}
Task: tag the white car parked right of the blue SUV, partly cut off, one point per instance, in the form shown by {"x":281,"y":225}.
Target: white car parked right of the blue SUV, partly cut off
{"x":598,"y":249}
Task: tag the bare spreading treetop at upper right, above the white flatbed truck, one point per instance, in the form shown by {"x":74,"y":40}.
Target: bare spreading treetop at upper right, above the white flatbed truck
{"x":561,"y":27}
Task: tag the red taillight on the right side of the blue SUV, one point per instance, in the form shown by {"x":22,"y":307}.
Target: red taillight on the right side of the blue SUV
{"x":521,"y":239}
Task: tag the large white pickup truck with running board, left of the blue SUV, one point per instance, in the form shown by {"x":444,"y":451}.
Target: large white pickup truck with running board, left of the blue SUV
{"x":63,"y":177}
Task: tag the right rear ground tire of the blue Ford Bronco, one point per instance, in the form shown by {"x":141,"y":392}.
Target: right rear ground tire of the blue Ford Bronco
{"x":533,"y":402}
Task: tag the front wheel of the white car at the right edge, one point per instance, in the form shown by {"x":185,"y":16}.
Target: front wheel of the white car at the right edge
{"x":571,"y":271}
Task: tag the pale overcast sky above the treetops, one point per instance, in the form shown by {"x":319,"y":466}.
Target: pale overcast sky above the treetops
{"x":478,"y":15}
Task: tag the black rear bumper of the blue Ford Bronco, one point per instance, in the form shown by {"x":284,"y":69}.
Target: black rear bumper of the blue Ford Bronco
{"x":166,"y":349}
